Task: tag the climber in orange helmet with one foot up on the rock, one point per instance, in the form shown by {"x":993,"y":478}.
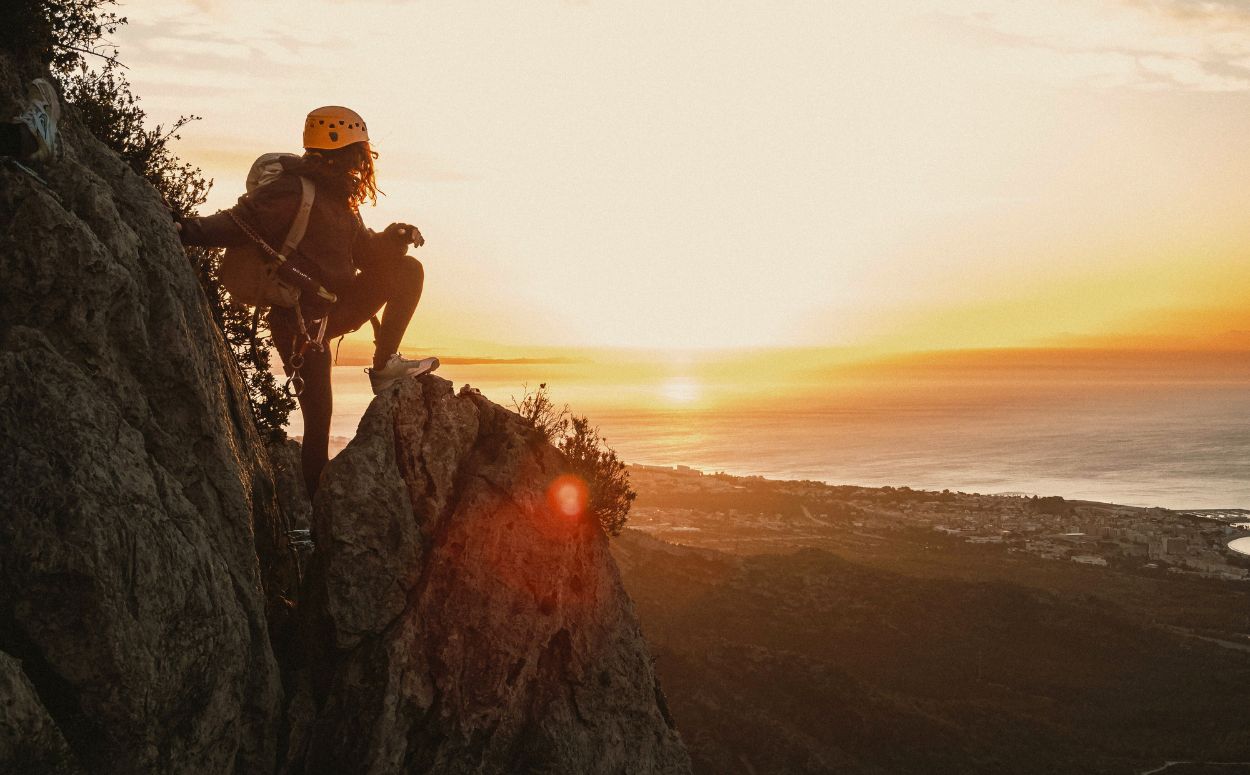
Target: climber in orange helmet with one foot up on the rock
{"x":364,"y":269}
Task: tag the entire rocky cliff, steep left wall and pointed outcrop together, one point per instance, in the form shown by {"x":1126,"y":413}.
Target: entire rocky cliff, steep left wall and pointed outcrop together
{"x":152,"y":612}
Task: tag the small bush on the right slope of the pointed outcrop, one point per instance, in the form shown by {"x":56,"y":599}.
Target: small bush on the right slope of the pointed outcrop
{"x":588,"y":454}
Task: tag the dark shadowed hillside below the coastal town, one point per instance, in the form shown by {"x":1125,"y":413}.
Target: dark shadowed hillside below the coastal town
{"x":808,"y":663}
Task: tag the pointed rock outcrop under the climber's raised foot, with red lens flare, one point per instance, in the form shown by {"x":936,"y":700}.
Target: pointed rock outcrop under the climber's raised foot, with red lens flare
{"x":462,"y":624}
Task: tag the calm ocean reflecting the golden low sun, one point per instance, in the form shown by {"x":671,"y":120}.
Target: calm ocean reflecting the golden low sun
{"x":1174,"y":444}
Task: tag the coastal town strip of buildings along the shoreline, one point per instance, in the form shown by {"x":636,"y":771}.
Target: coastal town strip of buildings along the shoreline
{"x":752,"y":514}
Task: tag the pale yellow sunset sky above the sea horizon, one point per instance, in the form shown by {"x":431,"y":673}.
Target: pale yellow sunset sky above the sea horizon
{"x":694,"y":176}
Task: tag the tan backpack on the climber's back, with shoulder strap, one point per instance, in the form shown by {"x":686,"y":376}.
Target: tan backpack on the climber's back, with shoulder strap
{"x":258,"y":276}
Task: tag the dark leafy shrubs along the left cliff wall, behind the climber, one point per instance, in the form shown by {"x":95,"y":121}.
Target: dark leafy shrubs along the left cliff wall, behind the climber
{"x":64,"y":33}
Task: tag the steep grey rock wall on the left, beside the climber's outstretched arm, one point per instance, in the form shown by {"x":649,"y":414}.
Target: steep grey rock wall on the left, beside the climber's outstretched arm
{"x":137,"y":498}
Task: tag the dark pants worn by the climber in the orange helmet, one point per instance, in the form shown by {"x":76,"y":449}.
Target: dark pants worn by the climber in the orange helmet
{"x":396,"y":283}
